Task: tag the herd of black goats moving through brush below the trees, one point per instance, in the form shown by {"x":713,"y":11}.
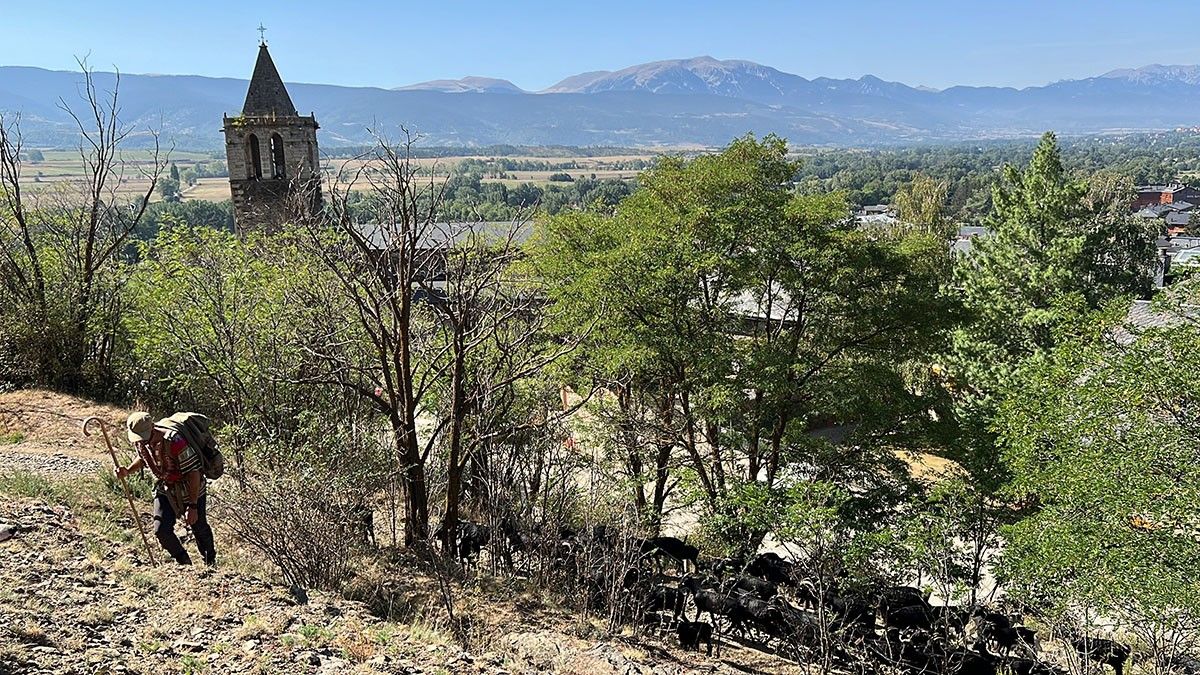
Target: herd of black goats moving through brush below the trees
{"x":766,"y":601}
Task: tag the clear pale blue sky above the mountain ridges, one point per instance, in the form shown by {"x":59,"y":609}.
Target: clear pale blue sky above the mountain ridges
{"x":536,"y":44}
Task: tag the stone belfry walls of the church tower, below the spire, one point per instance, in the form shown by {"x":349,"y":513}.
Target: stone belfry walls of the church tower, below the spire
{"x":261,"y":200}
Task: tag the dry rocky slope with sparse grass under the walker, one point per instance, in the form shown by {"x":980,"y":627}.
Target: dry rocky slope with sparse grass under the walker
{"x":79,"y":595}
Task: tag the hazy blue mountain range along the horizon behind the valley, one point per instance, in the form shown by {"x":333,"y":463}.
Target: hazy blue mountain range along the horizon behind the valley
{"x":701,"y":101}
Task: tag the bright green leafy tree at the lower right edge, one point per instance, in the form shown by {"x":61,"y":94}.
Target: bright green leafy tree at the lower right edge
{"x":1102,"y":440}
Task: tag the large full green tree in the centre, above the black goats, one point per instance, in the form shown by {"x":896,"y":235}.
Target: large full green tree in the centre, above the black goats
{"x":737,"y":320}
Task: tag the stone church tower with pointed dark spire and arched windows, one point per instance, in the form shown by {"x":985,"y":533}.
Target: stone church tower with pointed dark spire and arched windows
{"x":272,"y":151}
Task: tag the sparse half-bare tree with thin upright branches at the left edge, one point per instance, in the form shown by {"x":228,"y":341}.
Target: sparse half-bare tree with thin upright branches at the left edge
{"x":63,"y":254}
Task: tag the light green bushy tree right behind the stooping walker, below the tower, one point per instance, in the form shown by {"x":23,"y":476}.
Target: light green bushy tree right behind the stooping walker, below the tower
{"x":214,"y":328}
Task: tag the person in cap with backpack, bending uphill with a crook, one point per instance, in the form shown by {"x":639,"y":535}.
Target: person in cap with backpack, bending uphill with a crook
{"x":182,"y":486}
